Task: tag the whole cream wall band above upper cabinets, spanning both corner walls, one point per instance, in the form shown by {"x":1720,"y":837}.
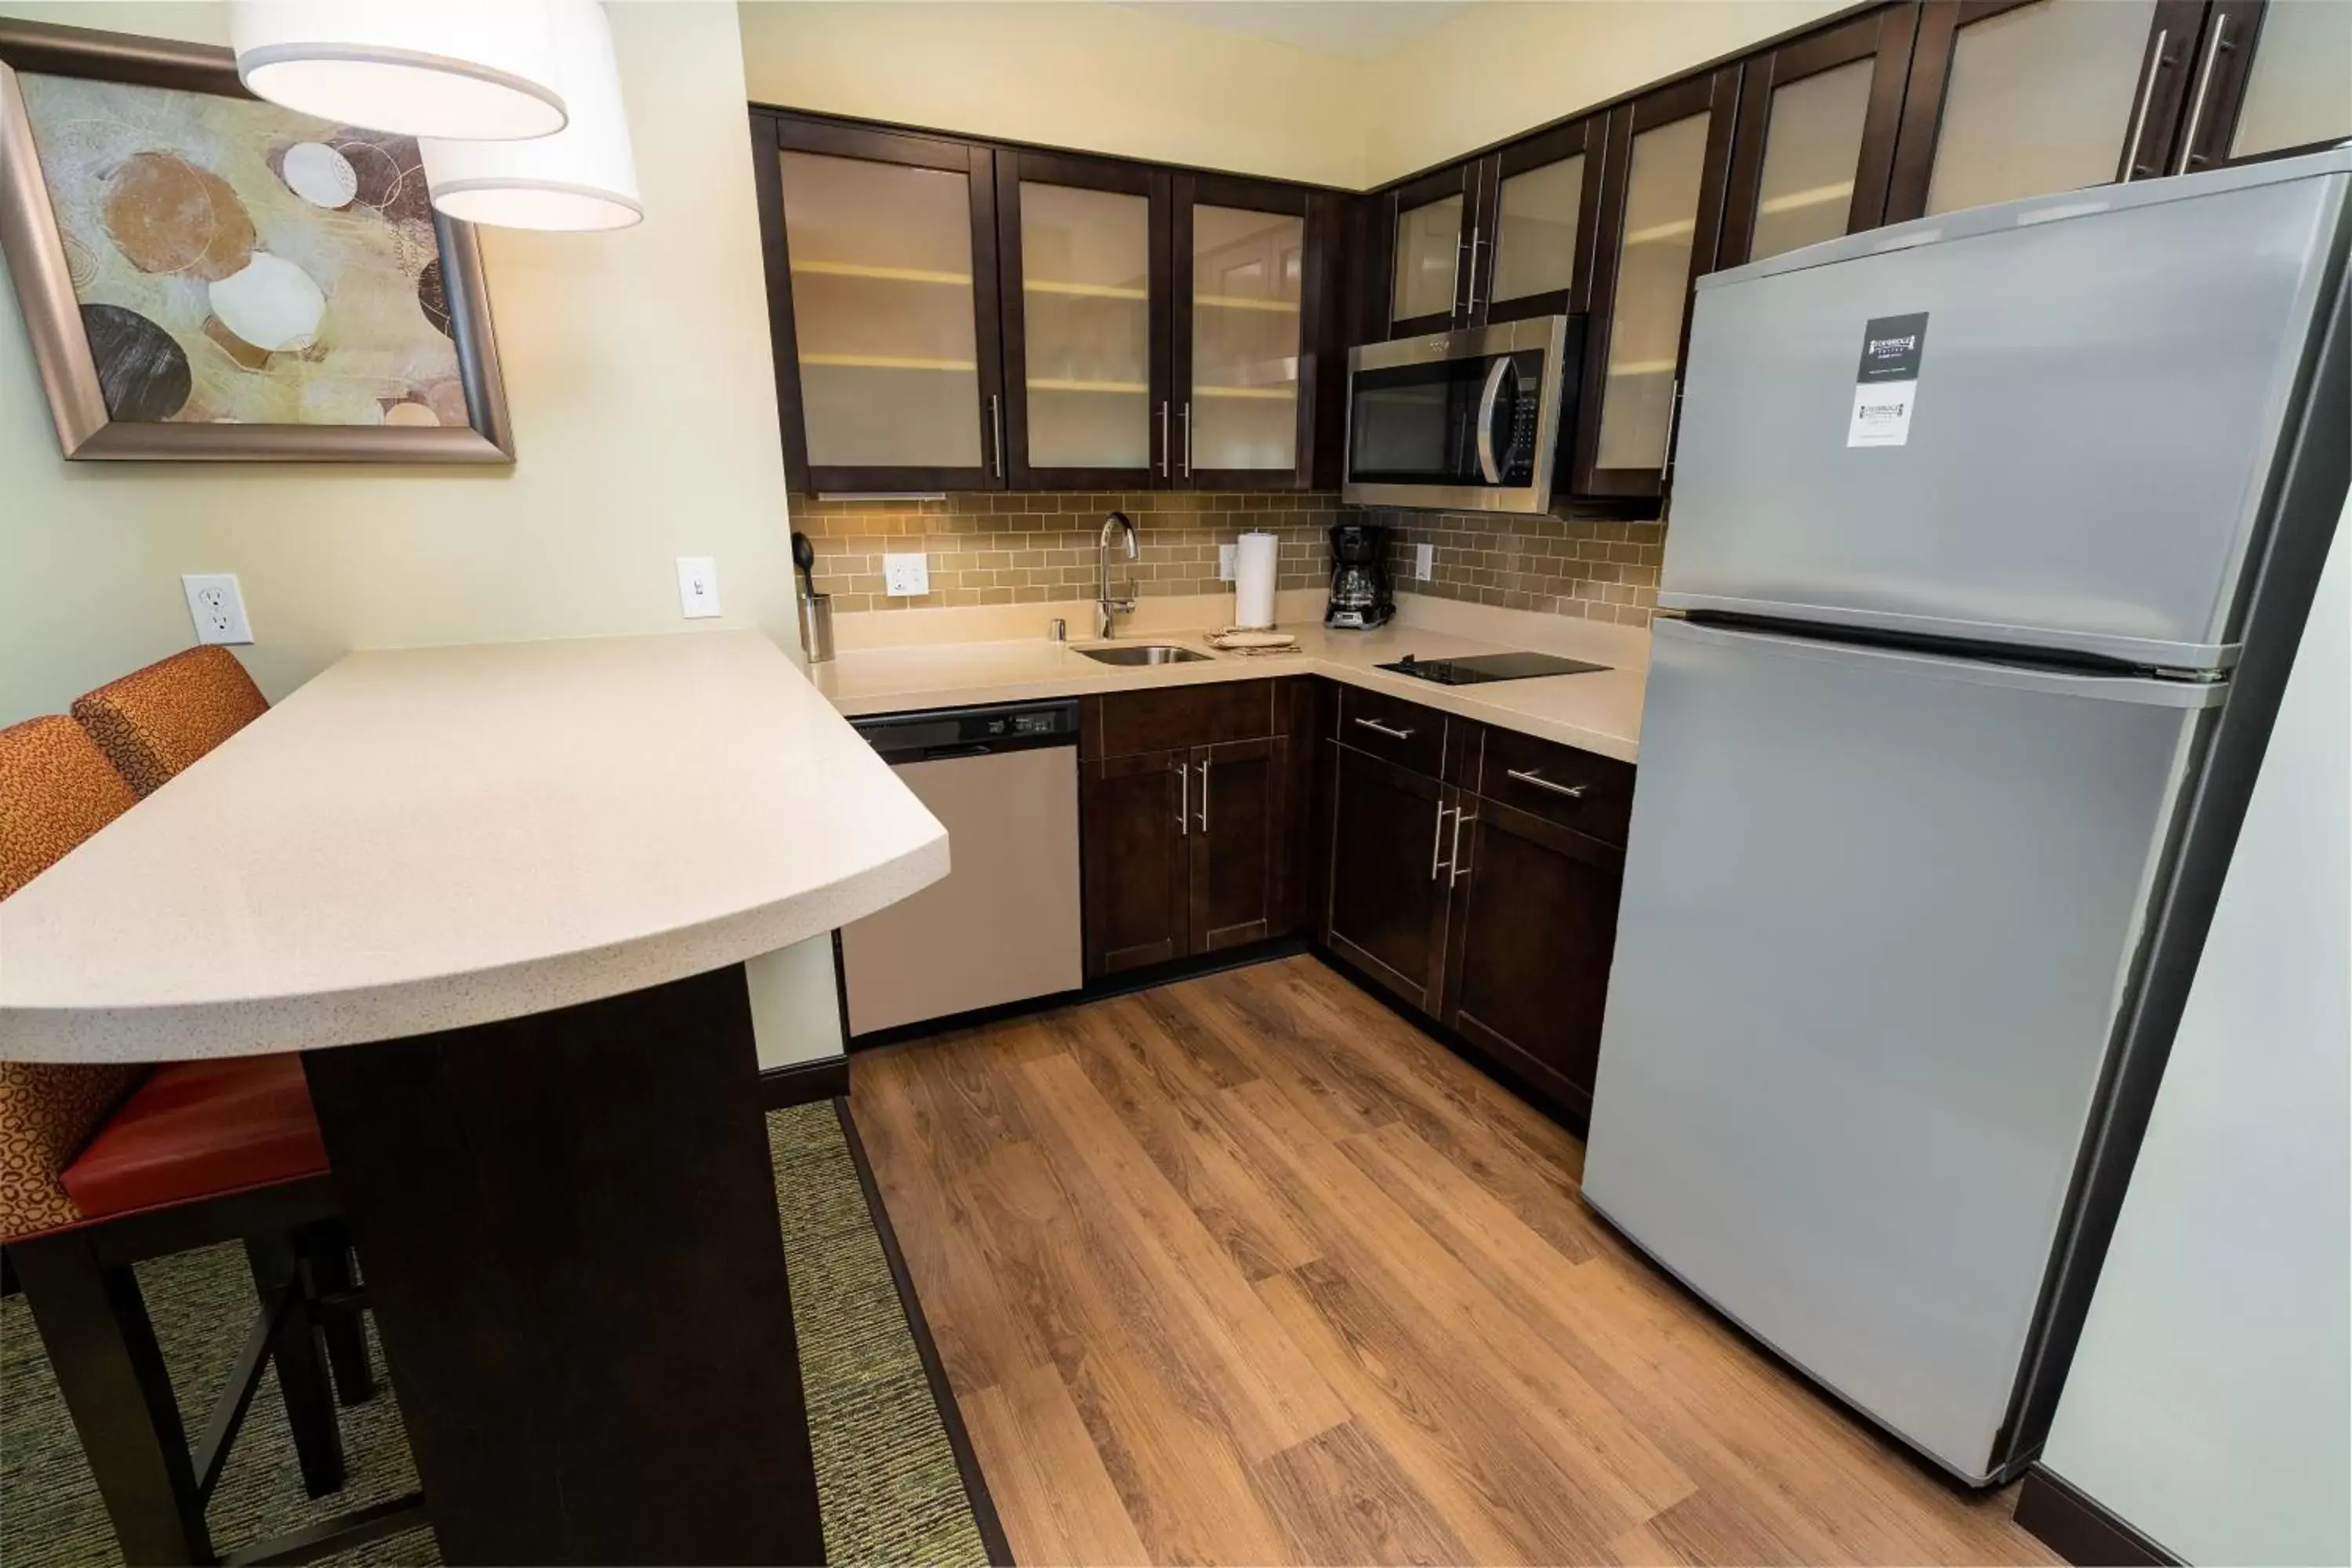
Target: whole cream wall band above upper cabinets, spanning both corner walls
{"x":1116,"y":79}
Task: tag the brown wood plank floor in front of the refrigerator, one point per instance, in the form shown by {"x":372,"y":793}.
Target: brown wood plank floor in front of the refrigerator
{"x":1250,"y":1271}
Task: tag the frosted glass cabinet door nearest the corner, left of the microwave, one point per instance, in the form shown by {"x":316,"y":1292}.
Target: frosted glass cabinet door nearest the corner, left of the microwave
{"x":1238,"y":363}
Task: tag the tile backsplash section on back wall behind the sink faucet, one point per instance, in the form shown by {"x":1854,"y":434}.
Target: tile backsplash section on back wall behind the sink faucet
{"x":1029,"y":549}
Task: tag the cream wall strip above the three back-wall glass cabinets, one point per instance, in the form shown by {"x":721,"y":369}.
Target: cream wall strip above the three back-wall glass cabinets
{"x":1069,"y":74}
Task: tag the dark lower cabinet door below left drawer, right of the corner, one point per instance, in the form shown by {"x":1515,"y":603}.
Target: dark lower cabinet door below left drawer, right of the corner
{"x":1389,"y":904}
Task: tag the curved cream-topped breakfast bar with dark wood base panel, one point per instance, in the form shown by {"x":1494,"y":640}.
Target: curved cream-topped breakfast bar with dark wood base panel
{"x":502,"y":899}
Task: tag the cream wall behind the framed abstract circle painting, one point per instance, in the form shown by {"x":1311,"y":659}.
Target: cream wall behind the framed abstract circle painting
{"x":646,"y":429}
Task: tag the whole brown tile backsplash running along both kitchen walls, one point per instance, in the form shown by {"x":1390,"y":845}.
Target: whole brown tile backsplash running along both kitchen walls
{"x":1031,"y":549}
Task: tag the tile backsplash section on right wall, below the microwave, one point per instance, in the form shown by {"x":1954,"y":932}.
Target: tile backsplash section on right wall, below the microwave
{"x":1556,"y":565}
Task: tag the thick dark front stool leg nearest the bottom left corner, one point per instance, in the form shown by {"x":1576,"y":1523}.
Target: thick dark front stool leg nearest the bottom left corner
{"x":109,"y":1369}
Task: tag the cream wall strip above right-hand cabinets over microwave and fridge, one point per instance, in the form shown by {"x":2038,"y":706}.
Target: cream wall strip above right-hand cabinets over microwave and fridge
{"x":1504,"y":67}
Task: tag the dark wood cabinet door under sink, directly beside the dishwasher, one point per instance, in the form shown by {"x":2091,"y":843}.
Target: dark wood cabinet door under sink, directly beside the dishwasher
{"x":1137,"y":864}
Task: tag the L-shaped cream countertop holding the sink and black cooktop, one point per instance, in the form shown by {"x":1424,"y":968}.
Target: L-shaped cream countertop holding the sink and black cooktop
{"x":1598,"y":711}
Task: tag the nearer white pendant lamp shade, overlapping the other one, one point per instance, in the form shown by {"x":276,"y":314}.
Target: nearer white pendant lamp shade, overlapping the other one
{"x":474,"y":69}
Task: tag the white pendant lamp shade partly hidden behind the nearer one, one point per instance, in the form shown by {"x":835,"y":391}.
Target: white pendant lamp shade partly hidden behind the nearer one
{"x":575,"y":180}
